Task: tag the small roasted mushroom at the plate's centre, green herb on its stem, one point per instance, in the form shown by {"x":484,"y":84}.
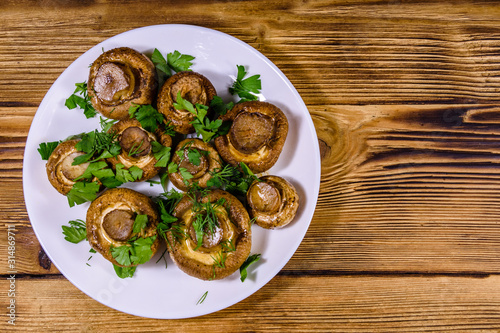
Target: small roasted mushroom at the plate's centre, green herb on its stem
{"x":198,"y":158}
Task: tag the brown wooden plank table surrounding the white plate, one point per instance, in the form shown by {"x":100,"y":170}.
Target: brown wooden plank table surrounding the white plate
{"x":405,"y":100}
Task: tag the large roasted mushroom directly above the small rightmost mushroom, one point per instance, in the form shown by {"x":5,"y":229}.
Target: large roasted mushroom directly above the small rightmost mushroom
{"x":256,"y":137}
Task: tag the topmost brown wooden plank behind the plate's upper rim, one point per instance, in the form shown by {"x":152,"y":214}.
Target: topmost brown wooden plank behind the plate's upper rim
{"x":339,"y":52}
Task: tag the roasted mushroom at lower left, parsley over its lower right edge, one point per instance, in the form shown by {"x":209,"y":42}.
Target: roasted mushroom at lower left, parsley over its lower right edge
{"x":110,"y":220}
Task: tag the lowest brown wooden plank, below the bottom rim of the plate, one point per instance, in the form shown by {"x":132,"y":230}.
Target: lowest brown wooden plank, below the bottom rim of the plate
{"x":287,"y":303}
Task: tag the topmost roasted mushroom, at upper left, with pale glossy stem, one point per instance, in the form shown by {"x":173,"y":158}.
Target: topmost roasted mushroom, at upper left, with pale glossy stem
{"x":120,"y":78}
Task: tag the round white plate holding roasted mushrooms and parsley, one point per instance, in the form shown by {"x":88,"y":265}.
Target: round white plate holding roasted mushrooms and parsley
{"x":154,"y":291}
